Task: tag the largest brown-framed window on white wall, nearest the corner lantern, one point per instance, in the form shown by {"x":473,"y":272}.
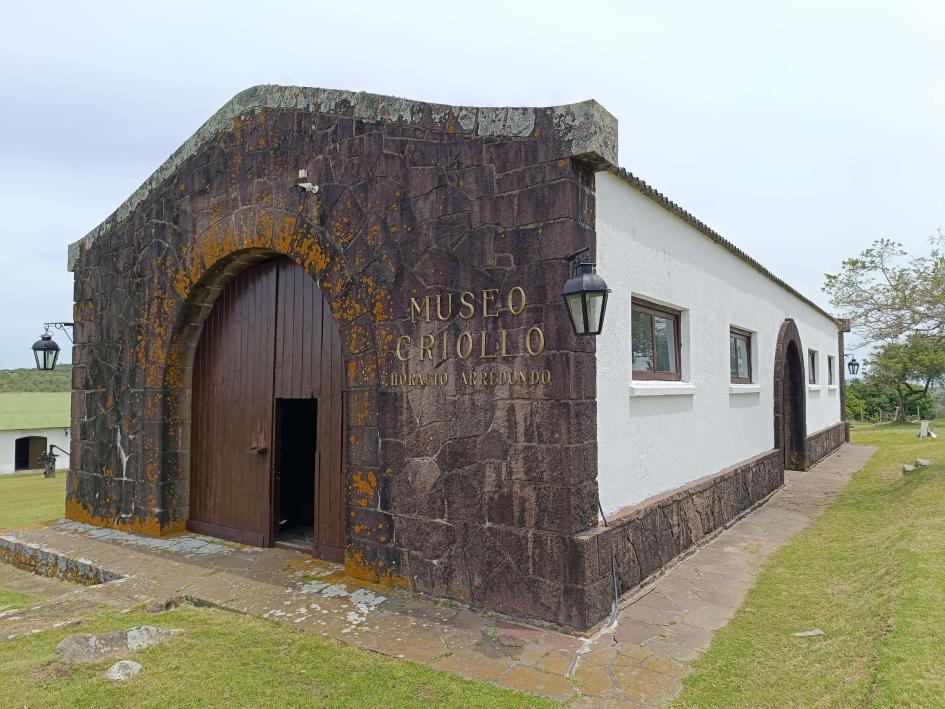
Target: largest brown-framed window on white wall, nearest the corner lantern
{"x":655,"y":341}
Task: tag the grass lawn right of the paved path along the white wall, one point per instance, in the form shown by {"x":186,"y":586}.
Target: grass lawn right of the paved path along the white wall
{"x":870,"y":572}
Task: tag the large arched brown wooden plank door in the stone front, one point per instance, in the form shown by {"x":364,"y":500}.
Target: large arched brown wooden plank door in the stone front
{"x":266,"y":426}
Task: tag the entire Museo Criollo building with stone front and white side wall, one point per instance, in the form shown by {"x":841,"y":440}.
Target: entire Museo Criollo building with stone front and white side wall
{"x":377,"y":366}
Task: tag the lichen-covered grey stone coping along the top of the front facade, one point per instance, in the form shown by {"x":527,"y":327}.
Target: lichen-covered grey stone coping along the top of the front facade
{"x":585,"y":130}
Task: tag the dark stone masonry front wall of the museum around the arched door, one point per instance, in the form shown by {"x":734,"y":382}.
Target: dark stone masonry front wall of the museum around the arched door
{"x":469,"y":488}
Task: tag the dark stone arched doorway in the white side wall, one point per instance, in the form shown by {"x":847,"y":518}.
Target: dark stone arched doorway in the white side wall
{"x":790,"y":398}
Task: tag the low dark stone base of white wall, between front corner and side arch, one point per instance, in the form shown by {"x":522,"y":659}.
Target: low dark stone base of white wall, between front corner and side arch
{"x":649,"y":535}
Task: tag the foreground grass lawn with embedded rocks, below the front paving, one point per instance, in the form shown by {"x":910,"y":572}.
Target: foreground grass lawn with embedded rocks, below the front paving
{"x":227,"y":660}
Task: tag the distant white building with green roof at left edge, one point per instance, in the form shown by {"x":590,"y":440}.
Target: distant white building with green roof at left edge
{"x":29,"y":423}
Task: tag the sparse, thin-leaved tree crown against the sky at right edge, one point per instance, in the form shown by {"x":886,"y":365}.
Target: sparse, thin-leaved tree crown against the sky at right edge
{"x":889,"y":295}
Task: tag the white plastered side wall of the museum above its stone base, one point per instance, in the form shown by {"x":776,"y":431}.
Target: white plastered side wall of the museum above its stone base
{"x":654,"y":436}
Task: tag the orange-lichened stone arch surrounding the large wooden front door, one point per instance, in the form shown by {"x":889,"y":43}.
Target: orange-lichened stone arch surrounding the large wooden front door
{"x":351,"y":302}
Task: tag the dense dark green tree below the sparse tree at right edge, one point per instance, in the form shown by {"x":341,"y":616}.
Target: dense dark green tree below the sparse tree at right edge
{"x":908,"y":370}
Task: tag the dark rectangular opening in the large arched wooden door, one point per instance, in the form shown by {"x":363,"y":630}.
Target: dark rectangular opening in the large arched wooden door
{"x":296,"y":472}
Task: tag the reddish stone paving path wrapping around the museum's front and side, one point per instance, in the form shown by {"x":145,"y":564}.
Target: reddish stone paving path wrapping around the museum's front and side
{"x":639,"y":662}
